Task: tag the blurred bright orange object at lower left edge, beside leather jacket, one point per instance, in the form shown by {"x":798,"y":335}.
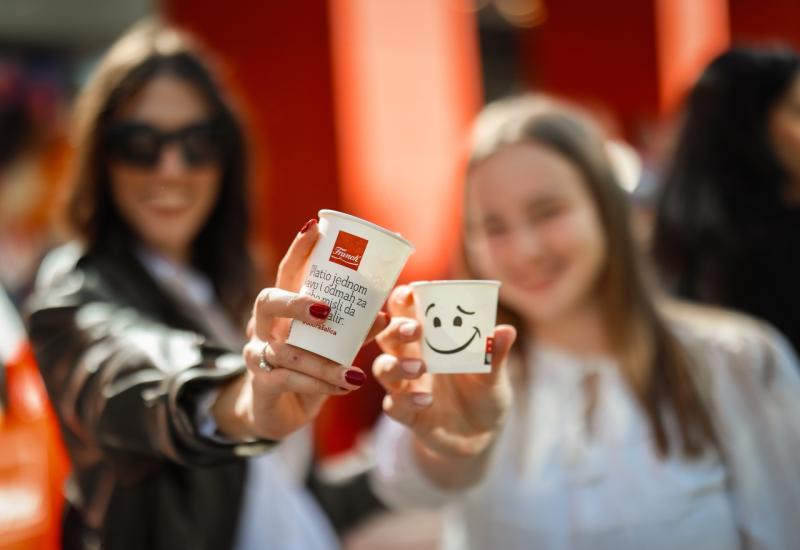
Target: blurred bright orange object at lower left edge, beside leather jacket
{"x":33,"y":461}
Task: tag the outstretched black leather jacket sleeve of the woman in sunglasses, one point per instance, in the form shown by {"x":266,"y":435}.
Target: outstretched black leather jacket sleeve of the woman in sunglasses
{"x":133,"y":387}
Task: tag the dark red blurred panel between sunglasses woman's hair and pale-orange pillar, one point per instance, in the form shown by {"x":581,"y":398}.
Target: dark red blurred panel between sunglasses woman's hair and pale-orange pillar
{"x":276,"y":55}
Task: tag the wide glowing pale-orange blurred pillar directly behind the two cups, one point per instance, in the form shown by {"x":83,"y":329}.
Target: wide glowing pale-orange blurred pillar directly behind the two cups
{"x":407,"y":87}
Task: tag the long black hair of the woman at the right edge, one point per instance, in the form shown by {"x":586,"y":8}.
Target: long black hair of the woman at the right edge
{"x":725,"y":178}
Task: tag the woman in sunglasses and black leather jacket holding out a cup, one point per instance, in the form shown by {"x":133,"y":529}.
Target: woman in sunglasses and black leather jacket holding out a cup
{"x":138,"y":328}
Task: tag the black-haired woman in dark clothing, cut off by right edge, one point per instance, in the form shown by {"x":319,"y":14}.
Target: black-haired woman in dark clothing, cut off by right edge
{"x":727,"y":230}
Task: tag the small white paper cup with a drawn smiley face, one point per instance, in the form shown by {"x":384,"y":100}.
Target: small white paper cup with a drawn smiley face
{"x":457,"y":319}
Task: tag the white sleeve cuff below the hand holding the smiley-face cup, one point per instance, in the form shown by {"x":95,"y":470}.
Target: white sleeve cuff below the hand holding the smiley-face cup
{"x":397,"y":478}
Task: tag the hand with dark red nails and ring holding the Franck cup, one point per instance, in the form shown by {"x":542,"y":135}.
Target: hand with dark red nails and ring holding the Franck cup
{"x":285,"y":386}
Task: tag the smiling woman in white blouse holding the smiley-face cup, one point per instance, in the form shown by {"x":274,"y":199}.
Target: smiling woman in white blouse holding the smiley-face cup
{"x":621,"y":421}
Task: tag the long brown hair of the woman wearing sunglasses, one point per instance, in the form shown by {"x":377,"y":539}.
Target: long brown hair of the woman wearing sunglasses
{"x":148,"y":50}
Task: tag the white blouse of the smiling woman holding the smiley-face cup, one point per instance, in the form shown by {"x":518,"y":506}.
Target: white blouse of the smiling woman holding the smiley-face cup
{"x":556,"y":483}
